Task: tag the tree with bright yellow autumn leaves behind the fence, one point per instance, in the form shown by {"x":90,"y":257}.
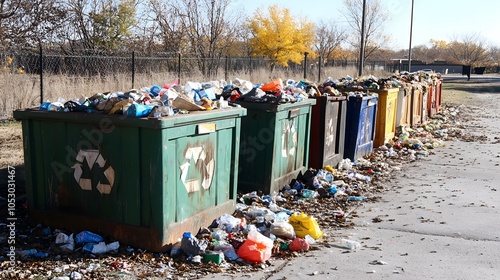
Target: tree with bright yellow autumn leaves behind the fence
{"x":279,"y":37}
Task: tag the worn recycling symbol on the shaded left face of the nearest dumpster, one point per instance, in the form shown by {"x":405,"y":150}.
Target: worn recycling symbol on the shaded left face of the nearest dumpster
{"x":95,"y":163}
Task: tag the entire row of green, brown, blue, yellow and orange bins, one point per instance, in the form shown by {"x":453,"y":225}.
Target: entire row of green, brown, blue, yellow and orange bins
{"x":129,"y":178}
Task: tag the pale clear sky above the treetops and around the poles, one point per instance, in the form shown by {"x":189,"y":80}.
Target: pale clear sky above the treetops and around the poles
{"x":432,"y":19}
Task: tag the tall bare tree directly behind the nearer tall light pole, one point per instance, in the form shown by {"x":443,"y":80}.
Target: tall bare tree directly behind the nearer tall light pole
{"x":374,"y":20}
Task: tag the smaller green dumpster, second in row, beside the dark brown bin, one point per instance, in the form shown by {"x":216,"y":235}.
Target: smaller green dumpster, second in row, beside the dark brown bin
{"x":274,"y":144}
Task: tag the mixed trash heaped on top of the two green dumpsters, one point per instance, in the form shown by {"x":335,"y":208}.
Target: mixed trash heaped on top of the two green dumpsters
{"x":172,"y":99}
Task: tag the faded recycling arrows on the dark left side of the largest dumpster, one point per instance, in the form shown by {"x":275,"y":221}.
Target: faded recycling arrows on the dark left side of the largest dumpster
{"x":92,"y":157}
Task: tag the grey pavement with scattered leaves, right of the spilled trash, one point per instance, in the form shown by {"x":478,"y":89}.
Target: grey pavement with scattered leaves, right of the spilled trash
{"x":439,"y":218}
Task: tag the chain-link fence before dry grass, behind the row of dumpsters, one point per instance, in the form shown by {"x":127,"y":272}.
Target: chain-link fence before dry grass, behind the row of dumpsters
{"x":30,"y":76}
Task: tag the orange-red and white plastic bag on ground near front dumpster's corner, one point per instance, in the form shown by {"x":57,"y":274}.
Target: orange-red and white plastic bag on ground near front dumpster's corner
{"x":256,"y":249}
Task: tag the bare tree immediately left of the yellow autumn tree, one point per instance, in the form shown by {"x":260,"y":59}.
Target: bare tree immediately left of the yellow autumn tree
{"x":203,"y":28}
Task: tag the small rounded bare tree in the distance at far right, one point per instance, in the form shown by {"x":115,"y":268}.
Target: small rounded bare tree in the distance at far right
{"x":470,"y":49}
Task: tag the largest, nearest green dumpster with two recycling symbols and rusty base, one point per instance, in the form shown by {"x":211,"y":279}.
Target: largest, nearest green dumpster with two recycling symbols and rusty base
{"x":140,"y":181}
